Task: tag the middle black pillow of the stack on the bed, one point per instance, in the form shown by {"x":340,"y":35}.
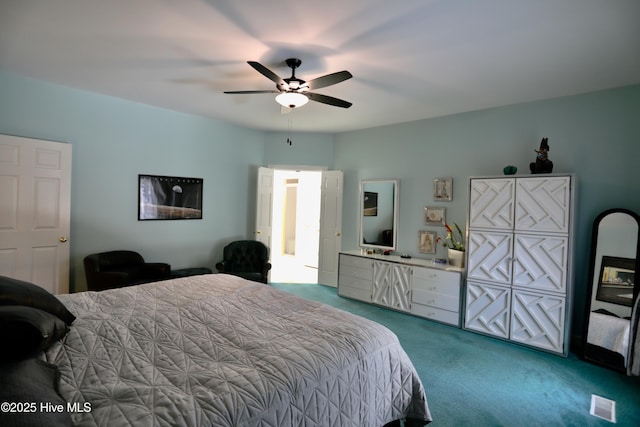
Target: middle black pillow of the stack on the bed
{"x":25,"y":331}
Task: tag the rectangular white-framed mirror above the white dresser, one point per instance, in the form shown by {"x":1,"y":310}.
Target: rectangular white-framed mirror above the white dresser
{"x":379,"y":214}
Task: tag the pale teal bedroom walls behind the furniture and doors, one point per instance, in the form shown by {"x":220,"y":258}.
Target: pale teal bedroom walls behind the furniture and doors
{"x":596,"y":136}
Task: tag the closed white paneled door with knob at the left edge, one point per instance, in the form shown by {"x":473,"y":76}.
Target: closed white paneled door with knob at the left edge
{"x":35,"y":205}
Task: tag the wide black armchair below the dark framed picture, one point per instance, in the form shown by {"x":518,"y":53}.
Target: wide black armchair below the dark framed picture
{"x":116,"y":269}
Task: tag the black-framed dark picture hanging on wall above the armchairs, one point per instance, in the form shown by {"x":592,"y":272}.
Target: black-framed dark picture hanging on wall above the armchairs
{"x":169,"y":197}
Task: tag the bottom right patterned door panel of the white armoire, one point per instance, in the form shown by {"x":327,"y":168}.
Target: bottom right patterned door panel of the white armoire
{"x":538,"y":320}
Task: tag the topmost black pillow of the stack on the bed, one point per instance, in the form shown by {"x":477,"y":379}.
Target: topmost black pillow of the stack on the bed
{"x":18,"y":292}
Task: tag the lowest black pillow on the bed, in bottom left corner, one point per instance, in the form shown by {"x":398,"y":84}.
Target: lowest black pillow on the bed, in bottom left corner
{"x":30,"y":383}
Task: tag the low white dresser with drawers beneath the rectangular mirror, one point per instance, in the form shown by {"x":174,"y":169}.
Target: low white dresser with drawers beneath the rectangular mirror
{"x":416,"y":286}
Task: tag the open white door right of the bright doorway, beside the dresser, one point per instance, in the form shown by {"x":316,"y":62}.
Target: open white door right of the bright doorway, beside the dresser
{"x":330,"y":227}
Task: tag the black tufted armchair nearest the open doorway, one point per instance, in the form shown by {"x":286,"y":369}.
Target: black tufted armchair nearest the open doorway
{"x":246,"y":258}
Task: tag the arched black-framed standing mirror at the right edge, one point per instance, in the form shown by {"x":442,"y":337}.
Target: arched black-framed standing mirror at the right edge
{"x":611,"y":329}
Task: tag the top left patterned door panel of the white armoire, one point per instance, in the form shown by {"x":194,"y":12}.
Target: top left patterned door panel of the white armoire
{"x":491,"y":203}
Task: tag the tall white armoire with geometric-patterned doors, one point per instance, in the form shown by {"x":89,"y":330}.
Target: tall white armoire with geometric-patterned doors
{"x":519,"y":259}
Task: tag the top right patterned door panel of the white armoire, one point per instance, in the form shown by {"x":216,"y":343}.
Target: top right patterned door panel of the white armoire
{"x":542,"y":204}
